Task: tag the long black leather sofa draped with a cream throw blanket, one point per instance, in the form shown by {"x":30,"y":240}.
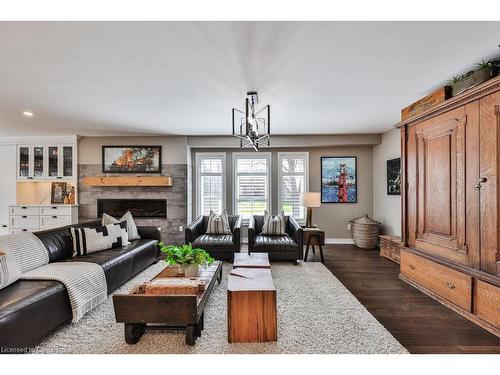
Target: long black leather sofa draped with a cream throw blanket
{"x":29,"y":310}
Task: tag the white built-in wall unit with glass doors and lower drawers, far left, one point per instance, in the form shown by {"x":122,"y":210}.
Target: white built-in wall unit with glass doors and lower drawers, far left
{"x":29,"y":167}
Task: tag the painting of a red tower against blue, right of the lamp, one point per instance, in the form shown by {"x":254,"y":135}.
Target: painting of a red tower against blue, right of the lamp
{"x":339,"y":179}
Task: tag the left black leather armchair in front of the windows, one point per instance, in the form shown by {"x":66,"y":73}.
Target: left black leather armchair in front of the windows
{"x":219,"y":246}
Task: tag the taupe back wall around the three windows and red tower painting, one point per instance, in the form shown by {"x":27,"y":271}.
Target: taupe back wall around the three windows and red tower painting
{"x":333,"y":218}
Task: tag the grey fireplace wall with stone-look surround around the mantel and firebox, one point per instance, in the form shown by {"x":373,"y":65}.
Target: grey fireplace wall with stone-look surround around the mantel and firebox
{"x":174,"y":163}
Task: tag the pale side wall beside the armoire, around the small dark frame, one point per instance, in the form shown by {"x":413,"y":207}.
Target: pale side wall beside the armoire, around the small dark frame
{"x":386,"y":208}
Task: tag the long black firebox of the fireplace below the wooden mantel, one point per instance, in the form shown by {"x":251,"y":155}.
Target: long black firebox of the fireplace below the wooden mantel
{"x":150,"y":208}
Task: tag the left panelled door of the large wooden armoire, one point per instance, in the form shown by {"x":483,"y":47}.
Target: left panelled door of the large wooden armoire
{"x":440,"y":184}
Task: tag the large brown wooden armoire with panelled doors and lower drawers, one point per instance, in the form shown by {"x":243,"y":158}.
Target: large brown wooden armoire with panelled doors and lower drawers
{"x":450,"y":203}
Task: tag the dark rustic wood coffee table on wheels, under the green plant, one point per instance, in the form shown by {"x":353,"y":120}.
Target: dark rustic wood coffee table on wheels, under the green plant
{"x":166,"y":311}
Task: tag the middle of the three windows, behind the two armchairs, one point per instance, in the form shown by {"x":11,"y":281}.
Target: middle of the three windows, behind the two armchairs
{"x":252,"y":183}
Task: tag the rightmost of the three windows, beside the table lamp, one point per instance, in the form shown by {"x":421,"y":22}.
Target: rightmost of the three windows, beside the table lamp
{"x":293,"y":179}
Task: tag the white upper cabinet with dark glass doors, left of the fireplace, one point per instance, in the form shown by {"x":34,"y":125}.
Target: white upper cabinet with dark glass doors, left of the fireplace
{"x":46,"y":161}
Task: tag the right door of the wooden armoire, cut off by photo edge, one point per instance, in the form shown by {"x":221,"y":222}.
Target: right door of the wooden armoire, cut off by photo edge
{"x":488,"y":186}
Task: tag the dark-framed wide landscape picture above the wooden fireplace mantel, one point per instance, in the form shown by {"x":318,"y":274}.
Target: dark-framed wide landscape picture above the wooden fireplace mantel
{"x":131,"y":159}
